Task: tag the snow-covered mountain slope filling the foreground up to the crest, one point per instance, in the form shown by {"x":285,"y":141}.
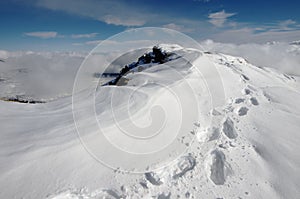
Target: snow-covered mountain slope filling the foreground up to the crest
{"x":238,"y":141}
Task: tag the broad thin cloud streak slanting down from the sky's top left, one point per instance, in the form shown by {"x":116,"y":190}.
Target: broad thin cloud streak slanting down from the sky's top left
{"x":114,"y":12}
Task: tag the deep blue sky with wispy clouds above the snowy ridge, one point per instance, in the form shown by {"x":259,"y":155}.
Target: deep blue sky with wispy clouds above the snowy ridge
{"x":78,"y":25}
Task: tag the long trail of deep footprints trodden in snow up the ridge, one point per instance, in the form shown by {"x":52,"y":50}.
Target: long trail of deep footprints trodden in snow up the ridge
{"x":224,"y":132}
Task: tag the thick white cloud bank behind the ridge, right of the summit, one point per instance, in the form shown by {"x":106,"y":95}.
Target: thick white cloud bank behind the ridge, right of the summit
{"x":281,"y":55}
